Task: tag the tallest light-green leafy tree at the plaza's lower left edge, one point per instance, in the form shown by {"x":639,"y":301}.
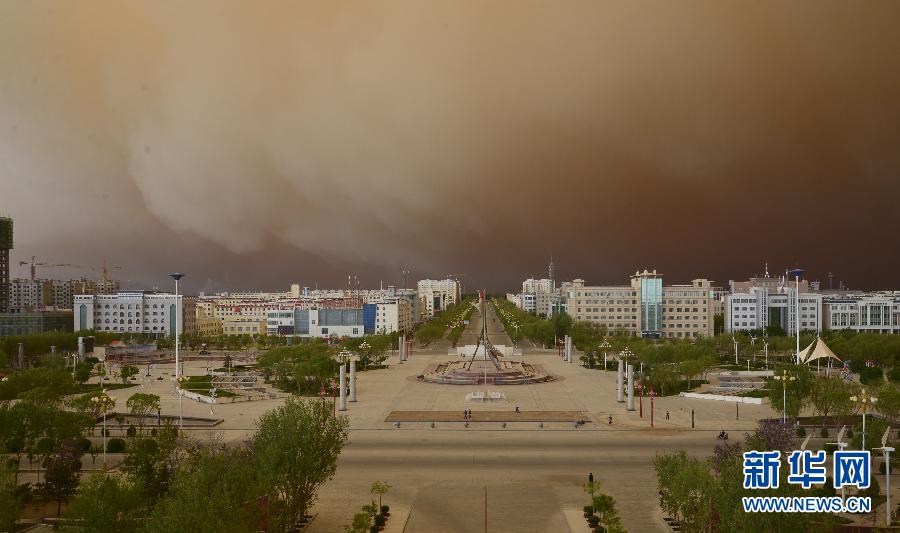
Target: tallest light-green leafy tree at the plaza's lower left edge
{"x":296,"y":447}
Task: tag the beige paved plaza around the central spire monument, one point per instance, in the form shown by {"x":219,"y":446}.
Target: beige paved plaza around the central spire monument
{"x":524,"y":476}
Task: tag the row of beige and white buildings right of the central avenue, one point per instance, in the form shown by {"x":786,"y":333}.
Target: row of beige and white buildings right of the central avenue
{"x":647,"y":308}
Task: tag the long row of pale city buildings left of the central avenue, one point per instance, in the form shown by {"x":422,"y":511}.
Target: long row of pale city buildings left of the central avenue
{"x":298,"y":312}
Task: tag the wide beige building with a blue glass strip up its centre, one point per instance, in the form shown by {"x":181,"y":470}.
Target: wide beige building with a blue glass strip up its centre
{"x":646,"y":307}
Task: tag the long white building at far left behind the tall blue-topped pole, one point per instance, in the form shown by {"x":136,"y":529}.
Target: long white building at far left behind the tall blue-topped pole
{"x":137,"y":312}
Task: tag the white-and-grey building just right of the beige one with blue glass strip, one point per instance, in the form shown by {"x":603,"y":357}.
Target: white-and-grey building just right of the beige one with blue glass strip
{"x":763,"y":302}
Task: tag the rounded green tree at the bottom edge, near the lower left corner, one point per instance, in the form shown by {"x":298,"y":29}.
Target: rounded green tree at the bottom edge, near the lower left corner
{"x":105,"y":502}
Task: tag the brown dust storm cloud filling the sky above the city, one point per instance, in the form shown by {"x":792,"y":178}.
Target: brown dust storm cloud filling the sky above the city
{"x":257,"y":144}
